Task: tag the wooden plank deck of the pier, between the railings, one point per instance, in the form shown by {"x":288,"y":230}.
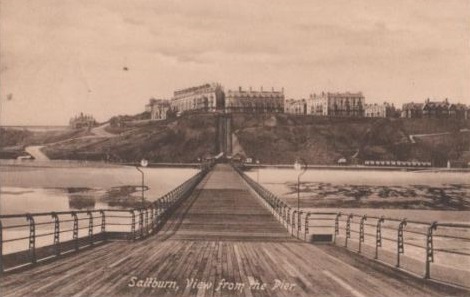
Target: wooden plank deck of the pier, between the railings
{"x":225,"y":241}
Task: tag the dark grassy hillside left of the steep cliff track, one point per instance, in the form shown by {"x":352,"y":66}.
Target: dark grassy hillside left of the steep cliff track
{"x":181,"y":140}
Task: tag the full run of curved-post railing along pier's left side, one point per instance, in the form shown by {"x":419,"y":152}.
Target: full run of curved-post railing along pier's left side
{"x":27,"y":239}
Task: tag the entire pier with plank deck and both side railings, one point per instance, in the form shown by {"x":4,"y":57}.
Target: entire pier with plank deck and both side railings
{"x":218,"y":234}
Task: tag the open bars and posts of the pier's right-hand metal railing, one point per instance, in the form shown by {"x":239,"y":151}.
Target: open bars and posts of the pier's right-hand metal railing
{"x":424,"y":229}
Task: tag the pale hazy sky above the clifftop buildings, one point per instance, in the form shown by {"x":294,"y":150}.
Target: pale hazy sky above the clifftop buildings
{"x":62,"y":57}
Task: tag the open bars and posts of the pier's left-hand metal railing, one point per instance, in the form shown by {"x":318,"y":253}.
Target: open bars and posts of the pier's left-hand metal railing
{"x":163,"y":207}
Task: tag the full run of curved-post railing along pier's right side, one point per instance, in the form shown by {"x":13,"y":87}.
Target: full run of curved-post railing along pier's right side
{"x":432,"y":250}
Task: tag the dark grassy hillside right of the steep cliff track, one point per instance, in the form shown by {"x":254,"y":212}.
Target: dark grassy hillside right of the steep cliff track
{"x":281,"y":138}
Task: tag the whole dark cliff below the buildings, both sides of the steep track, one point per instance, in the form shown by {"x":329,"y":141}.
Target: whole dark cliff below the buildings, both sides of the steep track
{"x":272,"y":138}
